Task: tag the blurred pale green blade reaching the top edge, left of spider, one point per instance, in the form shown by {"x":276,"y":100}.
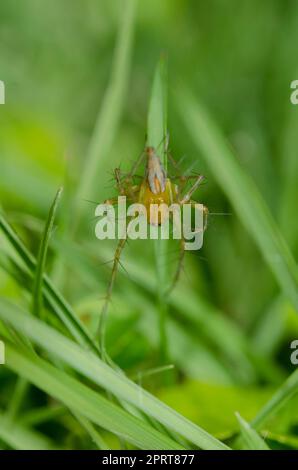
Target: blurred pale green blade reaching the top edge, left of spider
{"x":111,"y":108}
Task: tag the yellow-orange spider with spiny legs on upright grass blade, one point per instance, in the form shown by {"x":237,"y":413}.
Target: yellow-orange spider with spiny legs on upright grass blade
{"x":155,"y":189}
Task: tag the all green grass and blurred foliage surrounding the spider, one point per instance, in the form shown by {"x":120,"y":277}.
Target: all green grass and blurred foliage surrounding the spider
{"x":207,"y":366}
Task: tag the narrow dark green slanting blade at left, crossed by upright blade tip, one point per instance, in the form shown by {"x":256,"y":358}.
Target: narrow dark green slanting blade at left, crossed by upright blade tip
{"x":59,"y":305}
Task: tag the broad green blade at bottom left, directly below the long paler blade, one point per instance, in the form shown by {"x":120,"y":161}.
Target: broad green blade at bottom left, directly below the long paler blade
{"x":86,"y":401}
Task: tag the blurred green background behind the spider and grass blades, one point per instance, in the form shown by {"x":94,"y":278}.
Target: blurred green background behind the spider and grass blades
{"x":229,"y":327}
